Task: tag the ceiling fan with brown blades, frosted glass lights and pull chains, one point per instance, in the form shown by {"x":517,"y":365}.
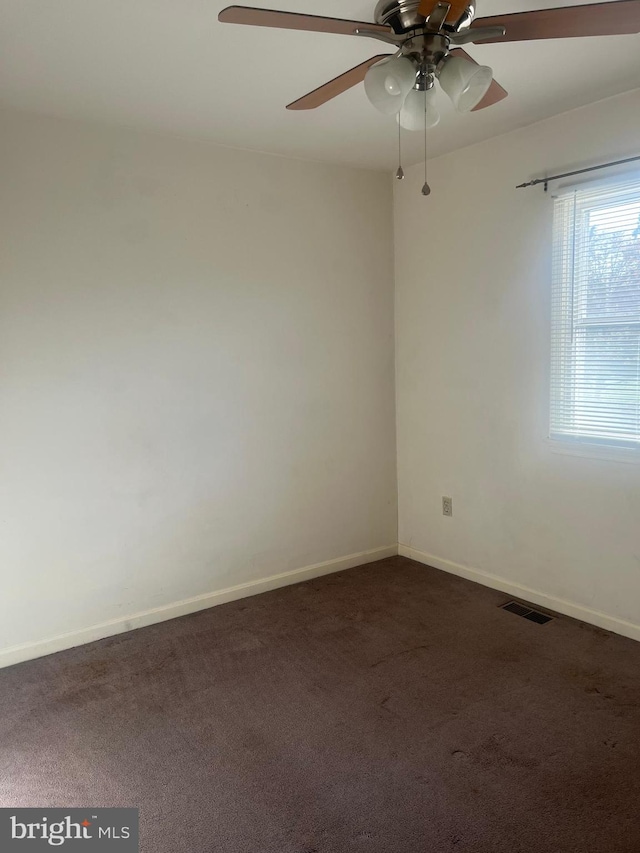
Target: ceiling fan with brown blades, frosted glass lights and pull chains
{"x":428,"y":36}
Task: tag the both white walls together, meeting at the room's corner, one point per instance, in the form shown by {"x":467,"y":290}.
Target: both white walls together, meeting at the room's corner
{"x":196,"y":377}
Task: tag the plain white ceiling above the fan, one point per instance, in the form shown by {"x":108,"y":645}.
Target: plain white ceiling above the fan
{"x":169,"y":65}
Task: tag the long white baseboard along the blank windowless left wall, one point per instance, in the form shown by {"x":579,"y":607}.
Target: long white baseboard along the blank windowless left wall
{"x":29,"y":651}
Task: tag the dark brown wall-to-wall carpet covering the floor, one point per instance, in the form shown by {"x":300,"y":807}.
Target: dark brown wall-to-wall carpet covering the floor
{"x":388,"y":709}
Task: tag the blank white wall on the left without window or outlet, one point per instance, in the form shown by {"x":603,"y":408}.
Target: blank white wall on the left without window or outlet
{"x":197,"y":377}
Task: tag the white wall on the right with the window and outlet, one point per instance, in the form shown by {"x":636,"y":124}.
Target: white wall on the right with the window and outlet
{"x":473,"y":284}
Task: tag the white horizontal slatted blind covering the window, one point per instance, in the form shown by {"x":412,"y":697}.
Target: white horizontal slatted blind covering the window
{"x":595,"y":364}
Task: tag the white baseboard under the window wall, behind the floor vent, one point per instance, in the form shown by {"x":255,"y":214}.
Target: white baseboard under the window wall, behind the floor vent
{"x":559,"y":605}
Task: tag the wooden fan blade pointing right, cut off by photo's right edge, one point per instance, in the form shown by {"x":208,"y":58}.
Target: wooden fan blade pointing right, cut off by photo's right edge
{"x":597,"y":19}
